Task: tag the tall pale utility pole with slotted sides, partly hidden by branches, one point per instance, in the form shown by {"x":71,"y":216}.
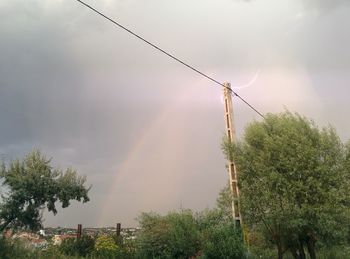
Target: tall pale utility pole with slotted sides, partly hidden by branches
{"x":231,"y":136}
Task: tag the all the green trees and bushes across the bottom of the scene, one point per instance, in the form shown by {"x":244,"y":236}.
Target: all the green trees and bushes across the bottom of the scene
{"x":294,"y":181}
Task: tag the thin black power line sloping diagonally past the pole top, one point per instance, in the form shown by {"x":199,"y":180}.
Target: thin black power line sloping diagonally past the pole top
{"x":169,"y":55}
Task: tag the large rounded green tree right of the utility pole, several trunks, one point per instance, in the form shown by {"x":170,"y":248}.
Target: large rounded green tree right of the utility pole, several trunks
{"x":293,"y":182}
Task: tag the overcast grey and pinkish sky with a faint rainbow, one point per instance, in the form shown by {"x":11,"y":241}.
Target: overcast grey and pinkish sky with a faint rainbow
{"x":145,"y":130}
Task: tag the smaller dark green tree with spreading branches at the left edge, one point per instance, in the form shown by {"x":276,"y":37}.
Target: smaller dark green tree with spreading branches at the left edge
{"x":32,"y":184}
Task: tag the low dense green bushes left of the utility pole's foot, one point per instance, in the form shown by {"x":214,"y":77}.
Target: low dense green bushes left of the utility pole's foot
{"x":186,"y":235}
